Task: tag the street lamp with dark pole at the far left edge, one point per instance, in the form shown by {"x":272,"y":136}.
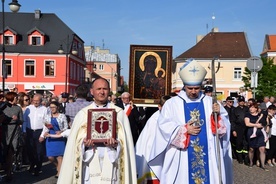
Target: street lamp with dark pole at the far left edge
{"x":14,"y":7}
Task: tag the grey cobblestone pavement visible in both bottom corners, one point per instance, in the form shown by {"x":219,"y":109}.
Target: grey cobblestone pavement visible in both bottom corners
{"x":242,"y":175}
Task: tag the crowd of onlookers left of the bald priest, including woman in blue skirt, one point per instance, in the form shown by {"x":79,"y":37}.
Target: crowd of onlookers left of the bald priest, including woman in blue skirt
{"x":32,"y":128}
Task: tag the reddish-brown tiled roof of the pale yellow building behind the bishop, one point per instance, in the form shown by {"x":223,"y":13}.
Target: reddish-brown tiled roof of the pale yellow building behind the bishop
{"x":219,"y":44}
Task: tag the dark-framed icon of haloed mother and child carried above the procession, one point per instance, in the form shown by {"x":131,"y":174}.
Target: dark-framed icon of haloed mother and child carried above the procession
{"x":150,"y":73}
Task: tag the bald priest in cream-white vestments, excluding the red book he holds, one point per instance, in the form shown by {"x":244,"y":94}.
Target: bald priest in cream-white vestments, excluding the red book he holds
{"x":89,"y":163}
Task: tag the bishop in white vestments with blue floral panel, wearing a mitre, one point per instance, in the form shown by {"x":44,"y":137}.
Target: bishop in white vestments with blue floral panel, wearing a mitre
{"x":185,"y":147}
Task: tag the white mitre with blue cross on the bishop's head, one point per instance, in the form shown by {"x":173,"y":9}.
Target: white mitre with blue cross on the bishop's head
{"x":192,"y":73}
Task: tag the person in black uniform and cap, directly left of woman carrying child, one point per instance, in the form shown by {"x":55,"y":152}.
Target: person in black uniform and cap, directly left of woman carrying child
{"x":240,"y":131}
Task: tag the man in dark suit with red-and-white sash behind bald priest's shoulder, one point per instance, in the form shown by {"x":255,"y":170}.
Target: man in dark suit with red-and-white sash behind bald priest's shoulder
{"x":132,"y":113}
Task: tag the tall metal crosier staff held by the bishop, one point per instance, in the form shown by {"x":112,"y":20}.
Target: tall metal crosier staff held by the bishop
{"x":215,"y":114}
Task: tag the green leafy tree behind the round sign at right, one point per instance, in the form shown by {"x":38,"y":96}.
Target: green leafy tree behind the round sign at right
{"x":266,"y":79}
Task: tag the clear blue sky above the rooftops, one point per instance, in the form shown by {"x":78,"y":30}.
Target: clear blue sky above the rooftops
{"x":121,"y":23}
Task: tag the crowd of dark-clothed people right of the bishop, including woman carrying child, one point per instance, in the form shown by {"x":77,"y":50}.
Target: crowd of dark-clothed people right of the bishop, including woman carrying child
{"x":253,"y":127}
